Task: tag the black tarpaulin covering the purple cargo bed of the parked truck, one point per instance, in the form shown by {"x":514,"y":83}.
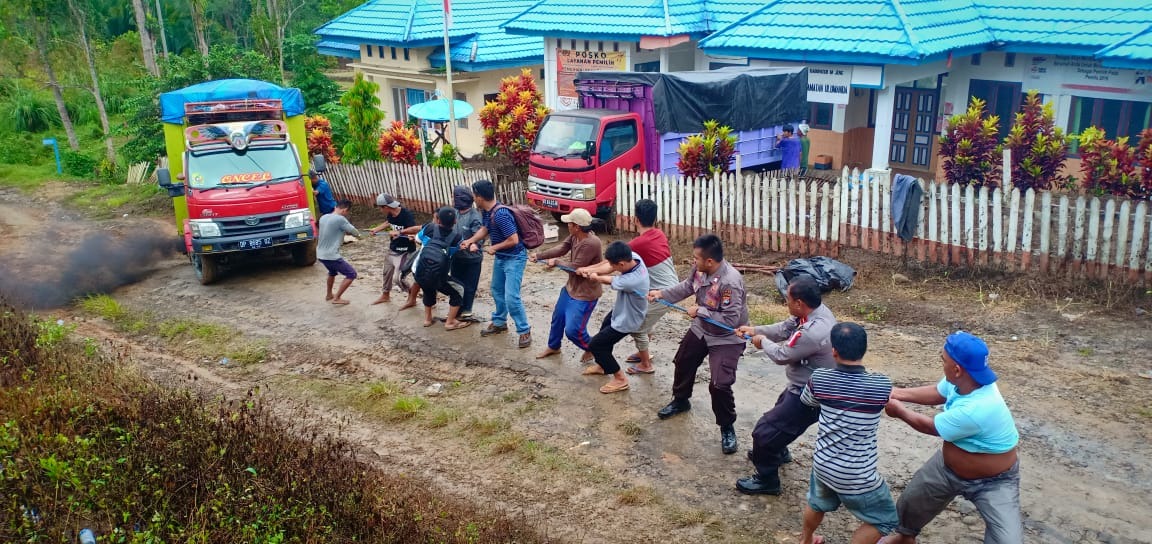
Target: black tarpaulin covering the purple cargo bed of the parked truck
{"x":742,"y":99}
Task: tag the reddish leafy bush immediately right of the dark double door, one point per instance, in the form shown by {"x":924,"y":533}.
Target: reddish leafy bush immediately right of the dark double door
{"x":971,"y":148}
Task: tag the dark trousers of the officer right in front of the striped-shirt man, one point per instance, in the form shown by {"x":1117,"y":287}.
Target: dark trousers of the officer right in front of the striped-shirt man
{"x":778,"y":428}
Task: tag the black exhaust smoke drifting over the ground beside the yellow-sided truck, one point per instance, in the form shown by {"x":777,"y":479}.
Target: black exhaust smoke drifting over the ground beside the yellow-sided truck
{"x":100,"y":265}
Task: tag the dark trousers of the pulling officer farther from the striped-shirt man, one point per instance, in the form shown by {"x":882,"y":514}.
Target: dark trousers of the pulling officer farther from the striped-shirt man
{"x":723,"y":362}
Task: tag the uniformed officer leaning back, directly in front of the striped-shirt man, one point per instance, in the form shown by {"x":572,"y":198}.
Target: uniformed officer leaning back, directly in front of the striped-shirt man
{"x":802,"y":344}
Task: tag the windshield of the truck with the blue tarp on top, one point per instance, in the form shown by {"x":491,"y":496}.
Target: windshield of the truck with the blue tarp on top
{"x":241,"y":169}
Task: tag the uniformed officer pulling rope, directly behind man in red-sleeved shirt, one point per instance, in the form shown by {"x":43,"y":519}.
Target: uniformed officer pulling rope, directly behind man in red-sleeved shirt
{"x":719,"y":291}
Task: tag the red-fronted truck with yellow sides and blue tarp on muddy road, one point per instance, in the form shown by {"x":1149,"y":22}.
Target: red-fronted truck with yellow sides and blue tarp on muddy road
{"x":240,"y":155}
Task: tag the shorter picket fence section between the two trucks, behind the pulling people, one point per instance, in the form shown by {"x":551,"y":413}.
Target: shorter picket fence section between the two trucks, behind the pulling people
{"x":422,"y":190}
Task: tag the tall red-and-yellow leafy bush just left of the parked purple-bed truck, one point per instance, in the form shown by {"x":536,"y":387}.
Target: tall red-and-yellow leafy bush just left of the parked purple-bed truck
{"x":512,"y":122}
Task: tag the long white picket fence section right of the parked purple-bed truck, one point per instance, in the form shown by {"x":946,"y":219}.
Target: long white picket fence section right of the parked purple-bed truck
{"x":960,"y":226}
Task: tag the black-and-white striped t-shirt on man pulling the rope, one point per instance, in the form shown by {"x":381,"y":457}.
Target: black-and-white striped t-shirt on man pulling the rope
{"x":851,"y":402}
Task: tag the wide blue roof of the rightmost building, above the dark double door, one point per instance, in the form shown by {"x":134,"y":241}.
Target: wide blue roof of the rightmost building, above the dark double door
{"x":915,"y":32}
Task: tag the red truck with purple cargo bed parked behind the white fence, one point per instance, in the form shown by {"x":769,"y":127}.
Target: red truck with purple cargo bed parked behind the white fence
{"x":636,"y":122}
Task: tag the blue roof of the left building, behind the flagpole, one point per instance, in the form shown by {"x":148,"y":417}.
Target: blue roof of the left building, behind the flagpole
{"x":475,"y":35}
